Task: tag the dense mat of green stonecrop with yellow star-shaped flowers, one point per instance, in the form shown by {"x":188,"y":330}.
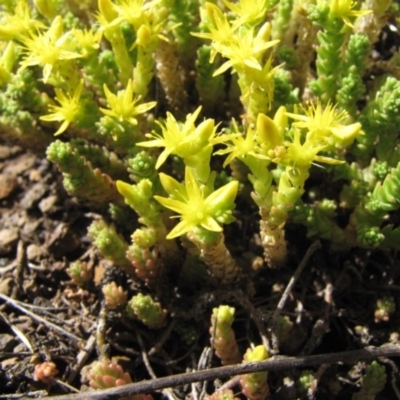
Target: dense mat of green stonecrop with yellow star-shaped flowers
{"x":179,"y":120}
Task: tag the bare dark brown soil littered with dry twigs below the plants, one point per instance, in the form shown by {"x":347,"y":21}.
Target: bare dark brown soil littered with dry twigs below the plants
{"x":45,"y":317}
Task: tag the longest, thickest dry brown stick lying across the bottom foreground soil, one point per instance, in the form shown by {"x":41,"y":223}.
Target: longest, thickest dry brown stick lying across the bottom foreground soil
{"x":272,"y":364}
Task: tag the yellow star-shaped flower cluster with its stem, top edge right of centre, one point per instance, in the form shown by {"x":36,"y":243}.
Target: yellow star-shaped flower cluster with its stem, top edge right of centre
{"x":244,"y":43}
